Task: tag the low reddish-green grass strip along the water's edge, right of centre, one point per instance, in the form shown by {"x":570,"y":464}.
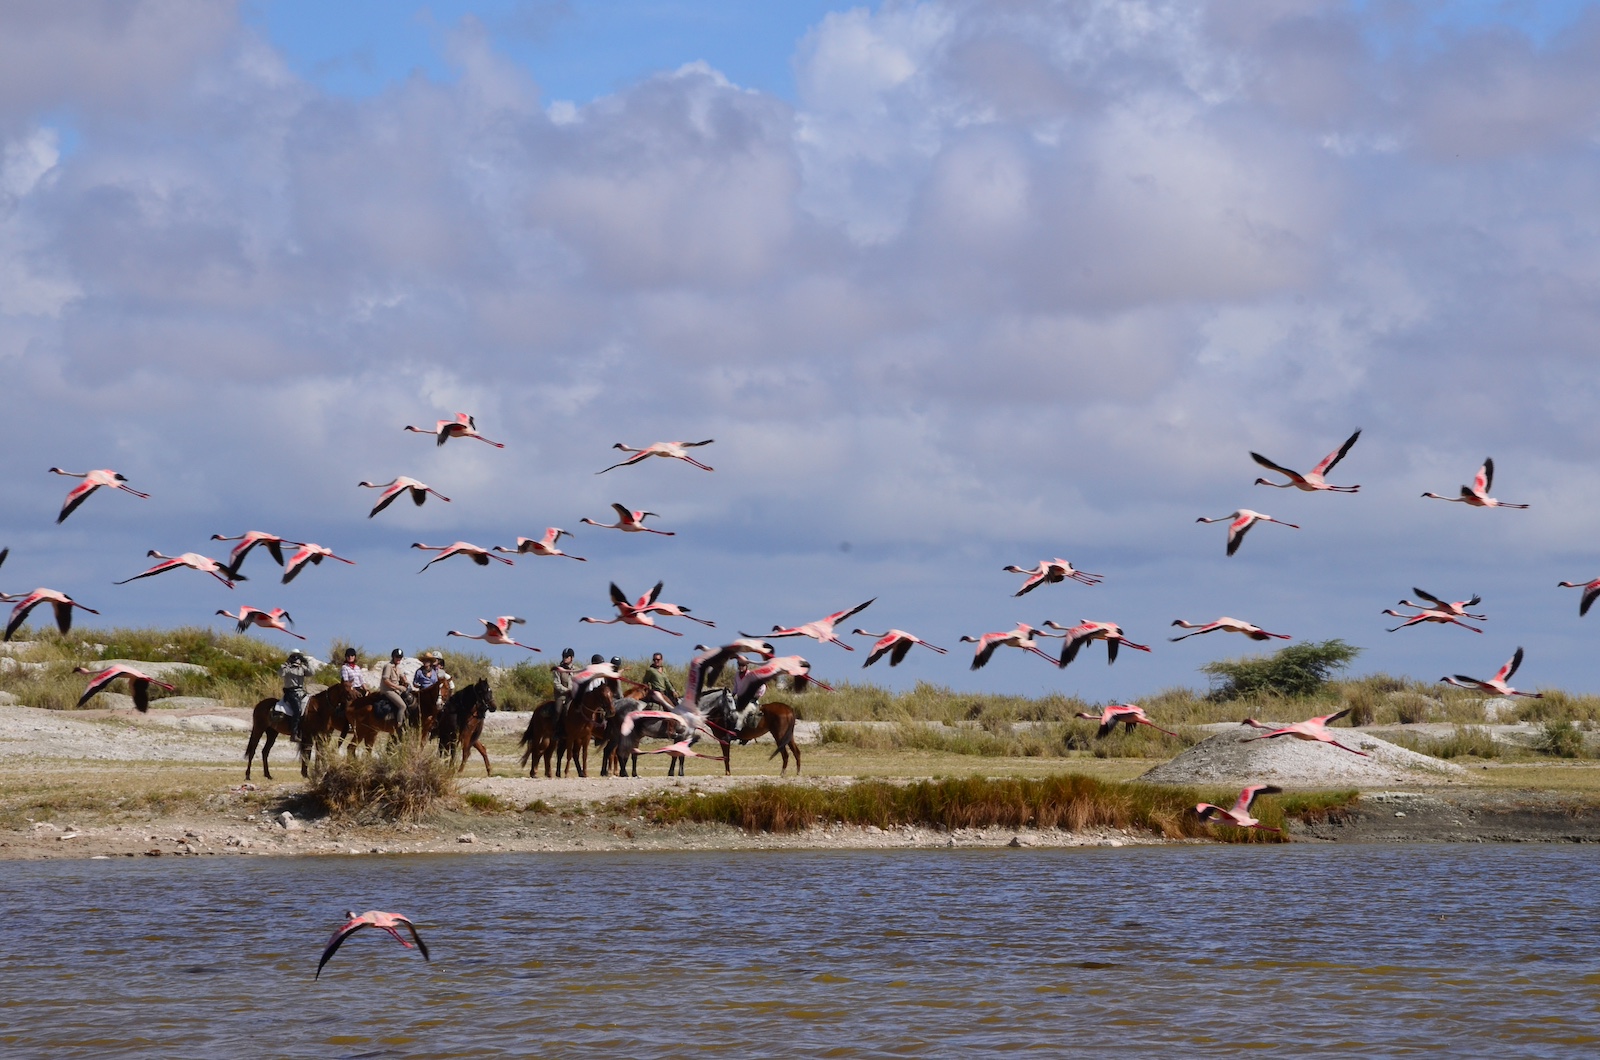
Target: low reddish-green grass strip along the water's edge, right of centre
{"x":1068,"y":801}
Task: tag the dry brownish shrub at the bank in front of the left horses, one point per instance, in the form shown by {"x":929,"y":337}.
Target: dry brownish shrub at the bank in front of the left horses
{"x":401,"y":782}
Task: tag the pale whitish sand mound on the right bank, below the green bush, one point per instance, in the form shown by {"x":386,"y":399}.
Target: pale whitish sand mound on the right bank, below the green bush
{"x":1236,"y":760}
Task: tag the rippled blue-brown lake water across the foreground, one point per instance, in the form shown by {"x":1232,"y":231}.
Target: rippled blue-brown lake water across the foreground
{"x":1178,"y":952}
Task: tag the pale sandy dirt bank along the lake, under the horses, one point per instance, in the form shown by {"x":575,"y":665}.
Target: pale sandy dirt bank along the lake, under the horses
{"x":170,"y":784}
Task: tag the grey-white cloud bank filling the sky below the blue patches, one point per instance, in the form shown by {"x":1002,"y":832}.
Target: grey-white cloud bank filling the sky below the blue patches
{"x":1007,"y":281}
